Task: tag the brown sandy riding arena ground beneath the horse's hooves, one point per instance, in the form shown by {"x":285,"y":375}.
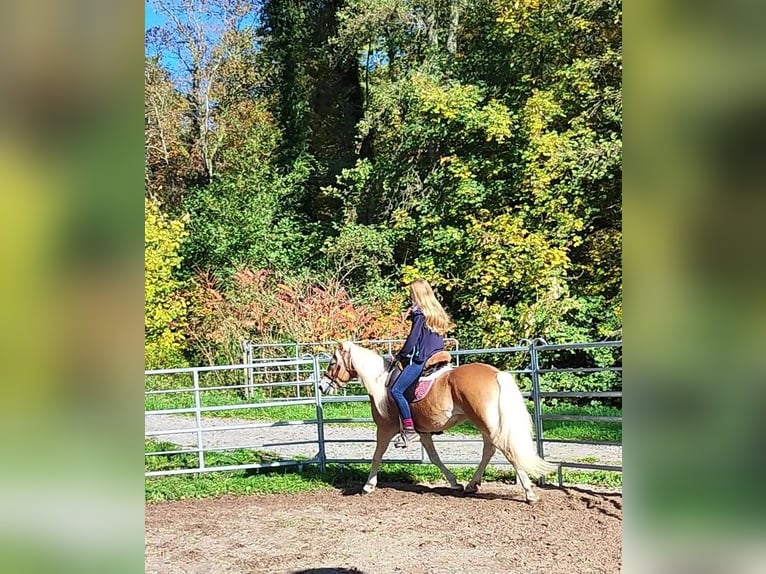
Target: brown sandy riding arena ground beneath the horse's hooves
{"x":398,"y":529}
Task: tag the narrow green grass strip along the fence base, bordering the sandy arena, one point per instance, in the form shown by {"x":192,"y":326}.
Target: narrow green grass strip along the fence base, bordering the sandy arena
{"x":291,"y":480}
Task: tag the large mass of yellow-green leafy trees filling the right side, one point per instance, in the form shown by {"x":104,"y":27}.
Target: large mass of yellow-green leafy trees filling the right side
{"x":497,"y":164}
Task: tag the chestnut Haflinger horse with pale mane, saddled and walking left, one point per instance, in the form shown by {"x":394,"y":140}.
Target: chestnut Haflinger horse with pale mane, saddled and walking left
{"x":486,"y":396}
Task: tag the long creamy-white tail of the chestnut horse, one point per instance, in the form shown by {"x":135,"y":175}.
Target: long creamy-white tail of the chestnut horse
{"x":514,"y":433}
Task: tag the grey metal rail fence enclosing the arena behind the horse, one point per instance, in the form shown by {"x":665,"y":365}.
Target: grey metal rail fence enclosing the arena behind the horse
{"x":208,"y":417}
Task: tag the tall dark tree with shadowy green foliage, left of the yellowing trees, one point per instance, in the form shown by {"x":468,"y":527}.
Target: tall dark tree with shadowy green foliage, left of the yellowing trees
{"x":317,"y":97}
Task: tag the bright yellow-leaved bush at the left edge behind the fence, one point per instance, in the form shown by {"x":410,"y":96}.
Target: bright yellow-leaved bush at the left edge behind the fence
{"x":164,"y":307}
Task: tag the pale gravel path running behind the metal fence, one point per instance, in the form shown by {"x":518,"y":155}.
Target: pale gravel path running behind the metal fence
{"x":278,"y":439}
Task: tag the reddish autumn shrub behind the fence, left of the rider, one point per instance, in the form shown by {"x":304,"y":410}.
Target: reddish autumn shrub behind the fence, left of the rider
{"x":260,"y":308}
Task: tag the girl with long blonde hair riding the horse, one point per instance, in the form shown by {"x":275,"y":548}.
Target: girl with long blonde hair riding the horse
{"x":430,"y":323}
